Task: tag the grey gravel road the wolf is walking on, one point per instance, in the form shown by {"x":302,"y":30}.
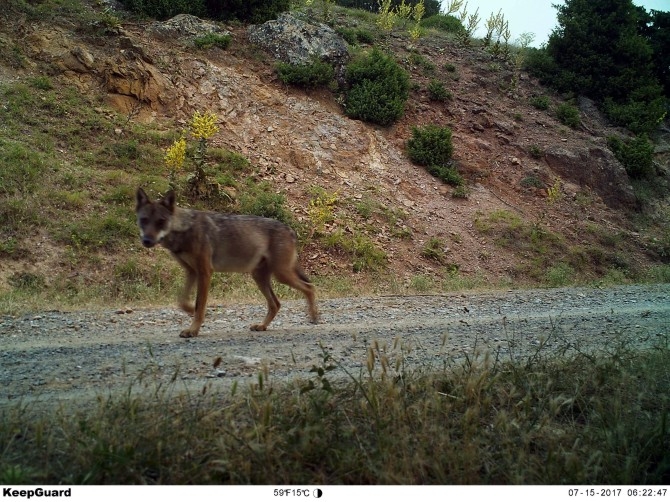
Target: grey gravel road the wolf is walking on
{"x":55,"y":356}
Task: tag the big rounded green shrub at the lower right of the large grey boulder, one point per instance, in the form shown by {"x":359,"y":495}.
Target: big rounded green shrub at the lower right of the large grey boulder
{"x":379,"y":88}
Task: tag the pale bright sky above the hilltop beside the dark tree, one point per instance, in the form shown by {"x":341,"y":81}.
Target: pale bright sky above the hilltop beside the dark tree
{"x":534,"y":16}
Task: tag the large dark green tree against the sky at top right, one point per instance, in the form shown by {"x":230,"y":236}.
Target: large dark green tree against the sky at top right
{"x":611,"y":52}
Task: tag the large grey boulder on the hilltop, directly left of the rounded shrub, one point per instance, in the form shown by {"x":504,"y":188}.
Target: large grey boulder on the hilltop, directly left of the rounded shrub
{"x":296,"y":42}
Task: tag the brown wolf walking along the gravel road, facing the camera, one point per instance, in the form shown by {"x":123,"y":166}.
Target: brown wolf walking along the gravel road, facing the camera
{"x":206,"y":242}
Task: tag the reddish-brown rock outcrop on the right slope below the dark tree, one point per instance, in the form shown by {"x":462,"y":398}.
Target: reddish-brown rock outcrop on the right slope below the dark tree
{"x":596,"y":168}
